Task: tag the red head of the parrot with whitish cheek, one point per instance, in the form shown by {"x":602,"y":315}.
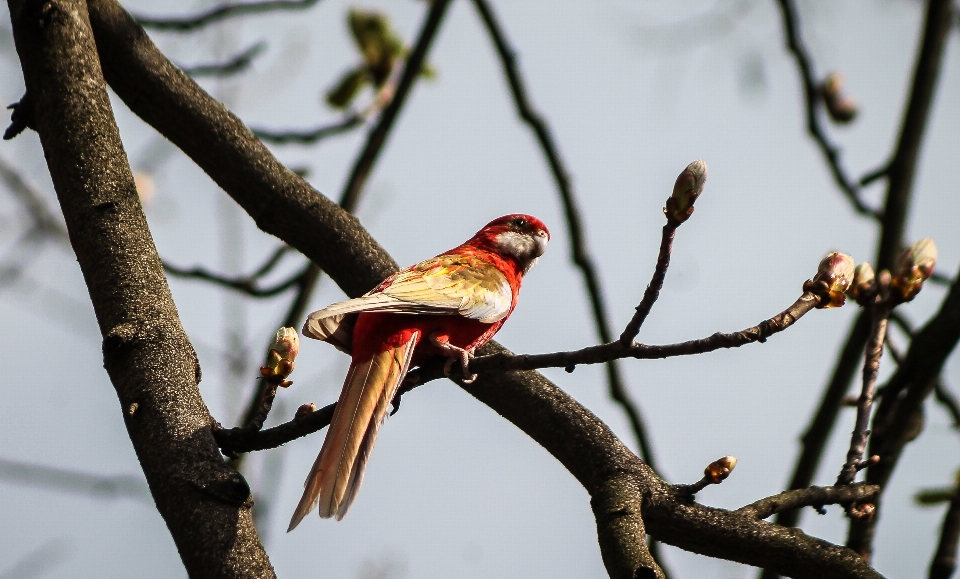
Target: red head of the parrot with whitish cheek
{"x":521,"y":237}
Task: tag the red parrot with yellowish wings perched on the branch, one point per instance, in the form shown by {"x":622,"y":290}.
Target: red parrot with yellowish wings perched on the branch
{"x":445,"y":306}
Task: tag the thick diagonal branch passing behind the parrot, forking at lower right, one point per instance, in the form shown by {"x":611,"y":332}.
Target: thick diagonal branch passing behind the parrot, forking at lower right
{"x":622,"y":487}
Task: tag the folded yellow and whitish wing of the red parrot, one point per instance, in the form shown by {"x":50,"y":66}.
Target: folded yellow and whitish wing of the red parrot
{"x":444,"y":285}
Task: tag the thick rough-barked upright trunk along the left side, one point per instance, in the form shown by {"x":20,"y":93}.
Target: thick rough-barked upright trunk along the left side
{"x":146,"y":353}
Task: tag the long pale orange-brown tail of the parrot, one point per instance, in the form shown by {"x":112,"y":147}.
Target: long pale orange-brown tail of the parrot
{"x":369,"y":388}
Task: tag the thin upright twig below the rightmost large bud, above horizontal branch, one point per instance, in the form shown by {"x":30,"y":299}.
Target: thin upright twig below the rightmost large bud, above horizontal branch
{"x":871,"y":366}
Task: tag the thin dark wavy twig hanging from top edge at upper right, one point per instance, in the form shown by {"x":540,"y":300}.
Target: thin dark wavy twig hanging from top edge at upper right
{"x":831,"y":152}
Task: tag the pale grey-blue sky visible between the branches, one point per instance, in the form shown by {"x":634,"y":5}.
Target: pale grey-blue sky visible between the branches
{"x":633,"y":90}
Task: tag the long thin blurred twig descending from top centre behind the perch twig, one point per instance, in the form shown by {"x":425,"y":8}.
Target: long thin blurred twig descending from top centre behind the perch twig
{"x":578,"y":246}
